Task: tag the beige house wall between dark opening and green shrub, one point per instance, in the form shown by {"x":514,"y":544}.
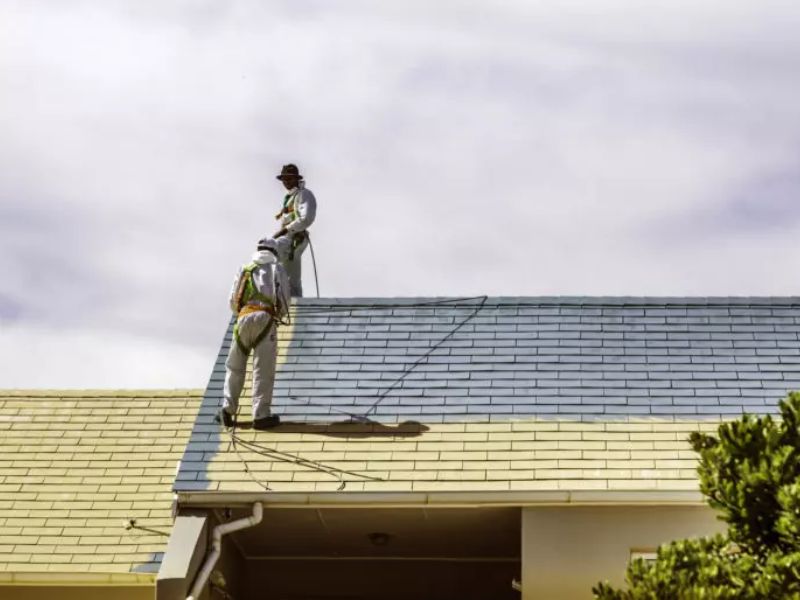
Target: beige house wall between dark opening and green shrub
{"x":567,"y":550}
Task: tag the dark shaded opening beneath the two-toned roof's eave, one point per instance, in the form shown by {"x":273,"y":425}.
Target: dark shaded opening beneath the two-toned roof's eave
{"x":381,"y":553}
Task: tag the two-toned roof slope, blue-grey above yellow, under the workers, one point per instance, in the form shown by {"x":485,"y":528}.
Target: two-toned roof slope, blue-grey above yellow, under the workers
{"x":500,"y":393}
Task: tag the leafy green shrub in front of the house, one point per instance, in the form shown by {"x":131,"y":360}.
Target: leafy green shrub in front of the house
{"x":750,"y":474}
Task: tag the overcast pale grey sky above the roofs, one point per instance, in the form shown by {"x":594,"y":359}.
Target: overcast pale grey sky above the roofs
{"x":455,"y":148}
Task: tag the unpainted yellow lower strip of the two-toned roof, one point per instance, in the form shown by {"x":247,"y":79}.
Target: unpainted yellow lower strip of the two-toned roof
{"x":529,"y":454}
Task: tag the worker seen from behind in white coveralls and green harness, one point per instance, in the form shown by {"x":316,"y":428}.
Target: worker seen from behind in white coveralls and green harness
{"x":260,"y":300}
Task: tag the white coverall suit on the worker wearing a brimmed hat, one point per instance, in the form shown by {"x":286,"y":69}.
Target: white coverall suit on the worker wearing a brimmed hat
{"x":297,"y":215}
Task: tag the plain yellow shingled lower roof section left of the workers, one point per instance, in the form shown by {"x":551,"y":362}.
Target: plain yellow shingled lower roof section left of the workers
{"x":76,"y":466}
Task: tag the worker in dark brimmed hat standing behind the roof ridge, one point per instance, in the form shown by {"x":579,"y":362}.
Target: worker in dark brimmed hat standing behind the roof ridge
{"x":296,"y":216}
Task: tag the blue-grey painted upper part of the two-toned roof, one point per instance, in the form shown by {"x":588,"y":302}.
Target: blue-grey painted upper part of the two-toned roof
{"x":443,"y":359}
